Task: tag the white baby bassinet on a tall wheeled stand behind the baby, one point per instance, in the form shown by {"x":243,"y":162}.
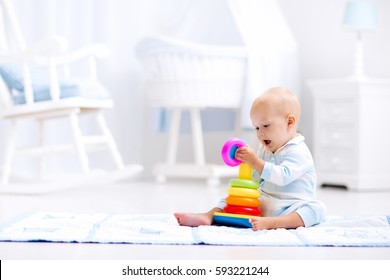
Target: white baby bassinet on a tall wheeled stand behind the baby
{"x":182,"y":75}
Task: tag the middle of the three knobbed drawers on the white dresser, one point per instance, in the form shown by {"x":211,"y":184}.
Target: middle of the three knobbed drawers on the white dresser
{"x":336,"y":137}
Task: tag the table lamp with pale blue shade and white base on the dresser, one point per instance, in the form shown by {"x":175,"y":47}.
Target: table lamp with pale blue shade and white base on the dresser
{"x":359,"y":16}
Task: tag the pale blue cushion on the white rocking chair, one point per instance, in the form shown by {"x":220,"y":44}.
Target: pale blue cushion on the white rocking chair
{"x":12,"y":75}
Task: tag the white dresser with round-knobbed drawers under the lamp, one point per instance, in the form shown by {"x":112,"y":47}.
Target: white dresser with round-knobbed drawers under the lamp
{"x":351,"y":145}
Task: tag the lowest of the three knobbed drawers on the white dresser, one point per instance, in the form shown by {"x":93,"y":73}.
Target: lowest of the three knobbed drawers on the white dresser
{"x":335,"y":160}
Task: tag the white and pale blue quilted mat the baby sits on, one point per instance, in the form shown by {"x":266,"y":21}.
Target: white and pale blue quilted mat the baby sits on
{"x":366,"y":231}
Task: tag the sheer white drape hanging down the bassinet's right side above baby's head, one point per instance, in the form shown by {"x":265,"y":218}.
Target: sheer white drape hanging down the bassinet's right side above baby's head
{"x":272,"y":49}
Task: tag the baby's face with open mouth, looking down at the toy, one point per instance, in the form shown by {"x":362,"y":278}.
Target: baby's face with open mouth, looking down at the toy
{"x":271,"y":127}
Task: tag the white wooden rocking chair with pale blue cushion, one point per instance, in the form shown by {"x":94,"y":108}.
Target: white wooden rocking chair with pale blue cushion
{"x":36,"y":83}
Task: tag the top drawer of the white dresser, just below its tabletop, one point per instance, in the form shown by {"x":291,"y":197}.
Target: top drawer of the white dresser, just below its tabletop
{"x":336,"y":111}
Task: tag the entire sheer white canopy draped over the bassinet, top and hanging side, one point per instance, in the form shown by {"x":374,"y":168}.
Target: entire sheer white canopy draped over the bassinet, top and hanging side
{"x":258,"y":25}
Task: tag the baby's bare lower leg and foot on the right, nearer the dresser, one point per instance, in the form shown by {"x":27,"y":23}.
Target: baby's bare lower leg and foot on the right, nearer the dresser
{"x":290,"y":221}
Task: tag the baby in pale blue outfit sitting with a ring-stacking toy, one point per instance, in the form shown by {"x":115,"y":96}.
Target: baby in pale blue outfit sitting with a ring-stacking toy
{"x":283,"y":165}
